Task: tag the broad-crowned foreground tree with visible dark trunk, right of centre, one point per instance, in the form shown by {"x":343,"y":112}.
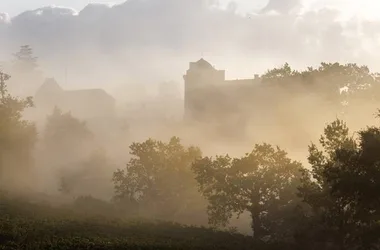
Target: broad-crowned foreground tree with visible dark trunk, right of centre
{"x":263,"y":183}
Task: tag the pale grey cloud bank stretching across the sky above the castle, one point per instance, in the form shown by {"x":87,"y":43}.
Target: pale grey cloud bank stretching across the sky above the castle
{"x":153,"y":40}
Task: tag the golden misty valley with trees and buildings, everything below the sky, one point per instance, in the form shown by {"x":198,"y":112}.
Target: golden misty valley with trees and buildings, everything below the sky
{"x":288,"y":159}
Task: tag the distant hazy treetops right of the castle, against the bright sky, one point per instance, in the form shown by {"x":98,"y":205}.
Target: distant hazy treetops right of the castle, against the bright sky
{"x":336,"y":83}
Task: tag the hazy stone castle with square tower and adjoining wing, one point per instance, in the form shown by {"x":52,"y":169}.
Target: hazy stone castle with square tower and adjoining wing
{"x":209,"y":97}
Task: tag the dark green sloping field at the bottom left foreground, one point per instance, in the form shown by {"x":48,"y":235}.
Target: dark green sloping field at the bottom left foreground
{"x":24,"y":225}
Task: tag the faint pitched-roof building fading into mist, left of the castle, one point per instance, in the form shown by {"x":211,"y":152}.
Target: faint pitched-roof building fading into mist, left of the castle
{"x":85,"y":104}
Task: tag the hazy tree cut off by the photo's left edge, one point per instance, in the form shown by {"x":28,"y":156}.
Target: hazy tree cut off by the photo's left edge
{"x":17,"y":136}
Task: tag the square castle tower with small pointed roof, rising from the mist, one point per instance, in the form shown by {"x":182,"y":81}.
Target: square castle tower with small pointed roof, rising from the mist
{"x":200,"y":78}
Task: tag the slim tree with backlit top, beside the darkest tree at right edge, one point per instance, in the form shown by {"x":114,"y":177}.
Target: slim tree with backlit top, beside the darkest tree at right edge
{"x":328,"y":212}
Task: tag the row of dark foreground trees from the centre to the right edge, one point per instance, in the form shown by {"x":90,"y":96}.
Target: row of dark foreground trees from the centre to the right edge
{"x":335,"y":203}
